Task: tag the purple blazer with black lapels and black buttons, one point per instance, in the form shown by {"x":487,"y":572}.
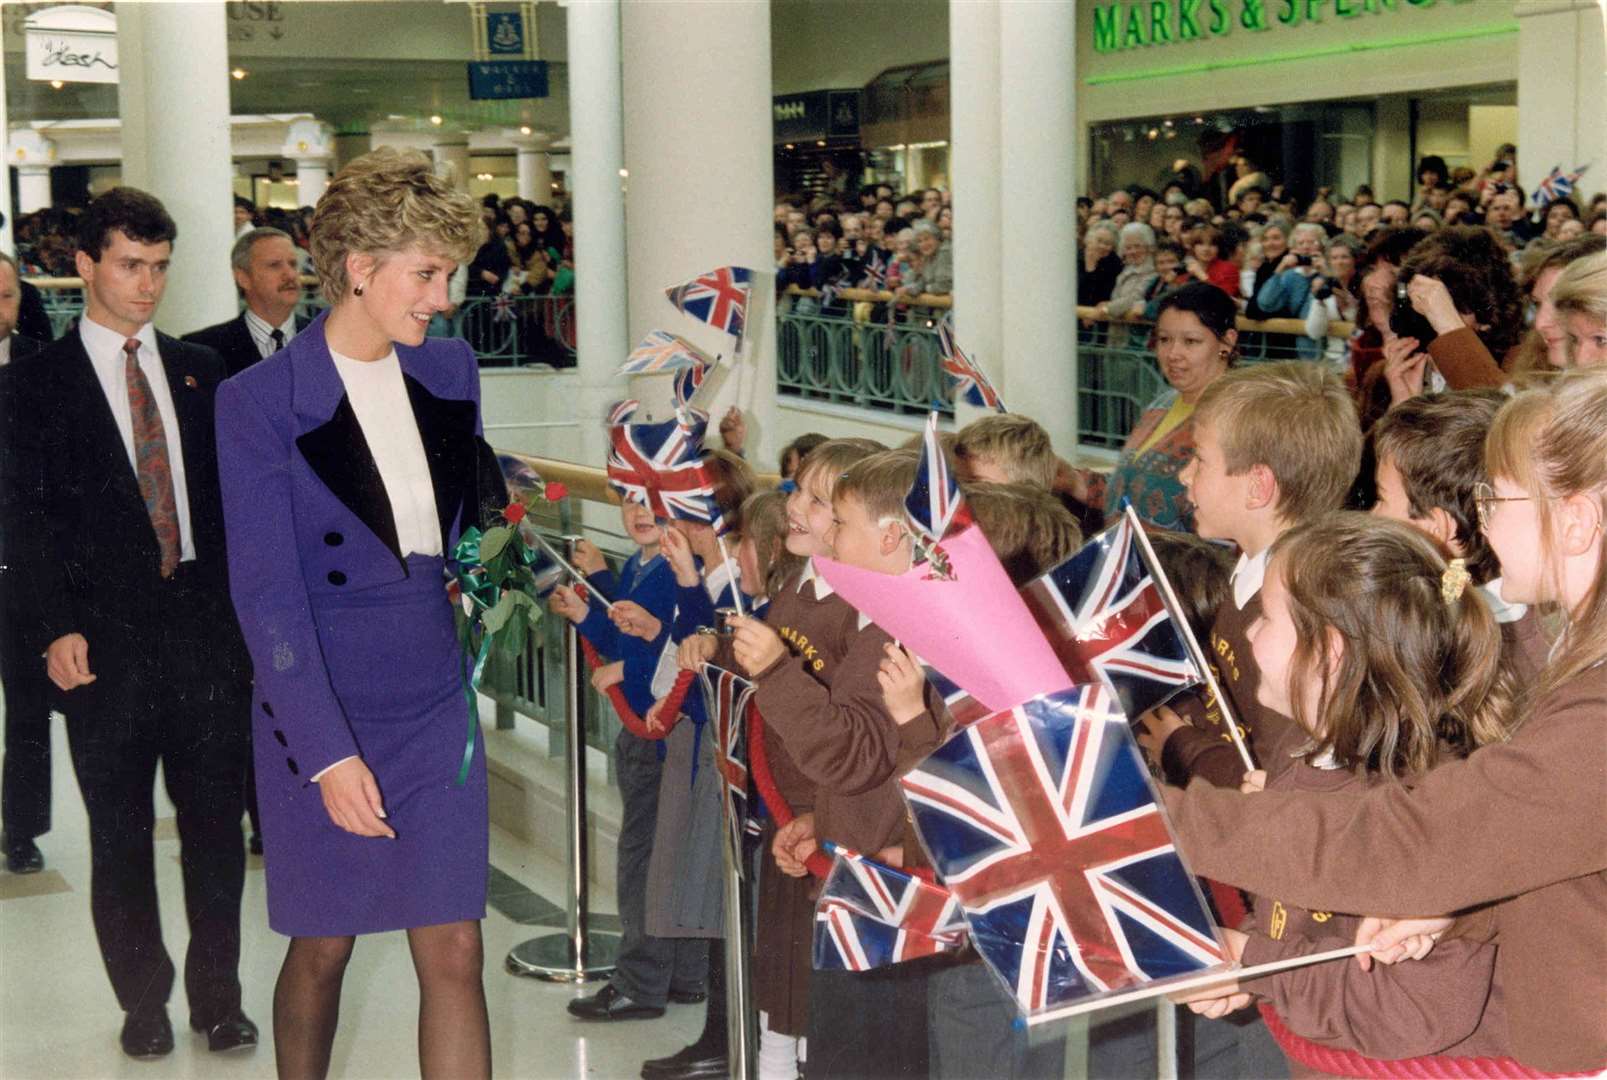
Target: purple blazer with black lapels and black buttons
{"x":308,"y":517}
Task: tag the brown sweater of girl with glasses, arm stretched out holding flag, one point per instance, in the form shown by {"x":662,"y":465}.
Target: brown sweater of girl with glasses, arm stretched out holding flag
{"x":1521,"y":827}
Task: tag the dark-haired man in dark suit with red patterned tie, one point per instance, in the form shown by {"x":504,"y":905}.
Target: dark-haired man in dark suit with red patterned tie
{"x":120,"y":550}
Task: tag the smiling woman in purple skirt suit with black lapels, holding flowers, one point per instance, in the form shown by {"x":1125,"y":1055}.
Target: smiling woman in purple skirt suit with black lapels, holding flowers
{"x":351,"y":464}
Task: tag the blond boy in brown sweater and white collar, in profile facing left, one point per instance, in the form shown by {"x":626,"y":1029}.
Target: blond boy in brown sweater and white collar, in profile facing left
{"x":1275,"y":446}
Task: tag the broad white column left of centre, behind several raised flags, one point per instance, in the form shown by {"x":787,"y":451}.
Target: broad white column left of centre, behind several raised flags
{"x":698,"y":145}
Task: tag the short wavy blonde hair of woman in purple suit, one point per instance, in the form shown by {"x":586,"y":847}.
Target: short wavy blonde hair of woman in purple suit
{"x":383,"y":203}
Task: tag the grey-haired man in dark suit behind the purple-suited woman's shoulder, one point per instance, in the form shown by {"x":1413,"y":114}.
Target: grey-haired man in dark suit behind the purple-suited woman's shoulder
{"x":266,"y":272}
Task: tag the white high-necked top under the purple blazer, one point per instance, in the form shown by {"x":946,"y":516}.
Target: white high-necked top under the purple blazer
{"x":386,"y":417}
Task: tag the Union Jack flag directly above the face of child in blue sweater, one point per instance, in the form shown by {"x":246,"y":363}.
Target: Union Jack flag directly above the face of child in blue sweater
{"x":661,"y":467}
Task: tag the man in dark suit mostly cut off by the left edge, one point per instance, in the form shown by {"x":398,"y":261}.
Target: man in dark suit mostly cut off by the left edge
{"x":25,"y":787}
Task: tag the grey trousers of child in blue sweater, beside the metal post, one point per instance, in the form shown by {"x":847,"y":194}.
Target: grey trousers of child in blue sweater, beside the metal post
{"x":648,"y":967}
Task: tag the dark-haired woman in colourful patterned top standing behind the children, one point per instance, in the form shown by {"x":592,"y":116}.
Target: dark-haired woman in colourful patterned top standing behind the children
{"x":1195,"y":340}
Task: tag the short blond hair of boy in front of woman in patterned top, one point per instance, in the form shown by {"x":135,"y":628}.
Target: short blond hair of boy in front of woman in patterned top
{"x":1299,"y":422}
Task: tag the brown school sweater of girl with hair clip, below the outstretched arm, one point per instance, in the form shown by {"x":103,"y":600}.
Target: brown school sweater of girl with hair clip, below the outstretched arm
{"x":1441,"y":1005}
